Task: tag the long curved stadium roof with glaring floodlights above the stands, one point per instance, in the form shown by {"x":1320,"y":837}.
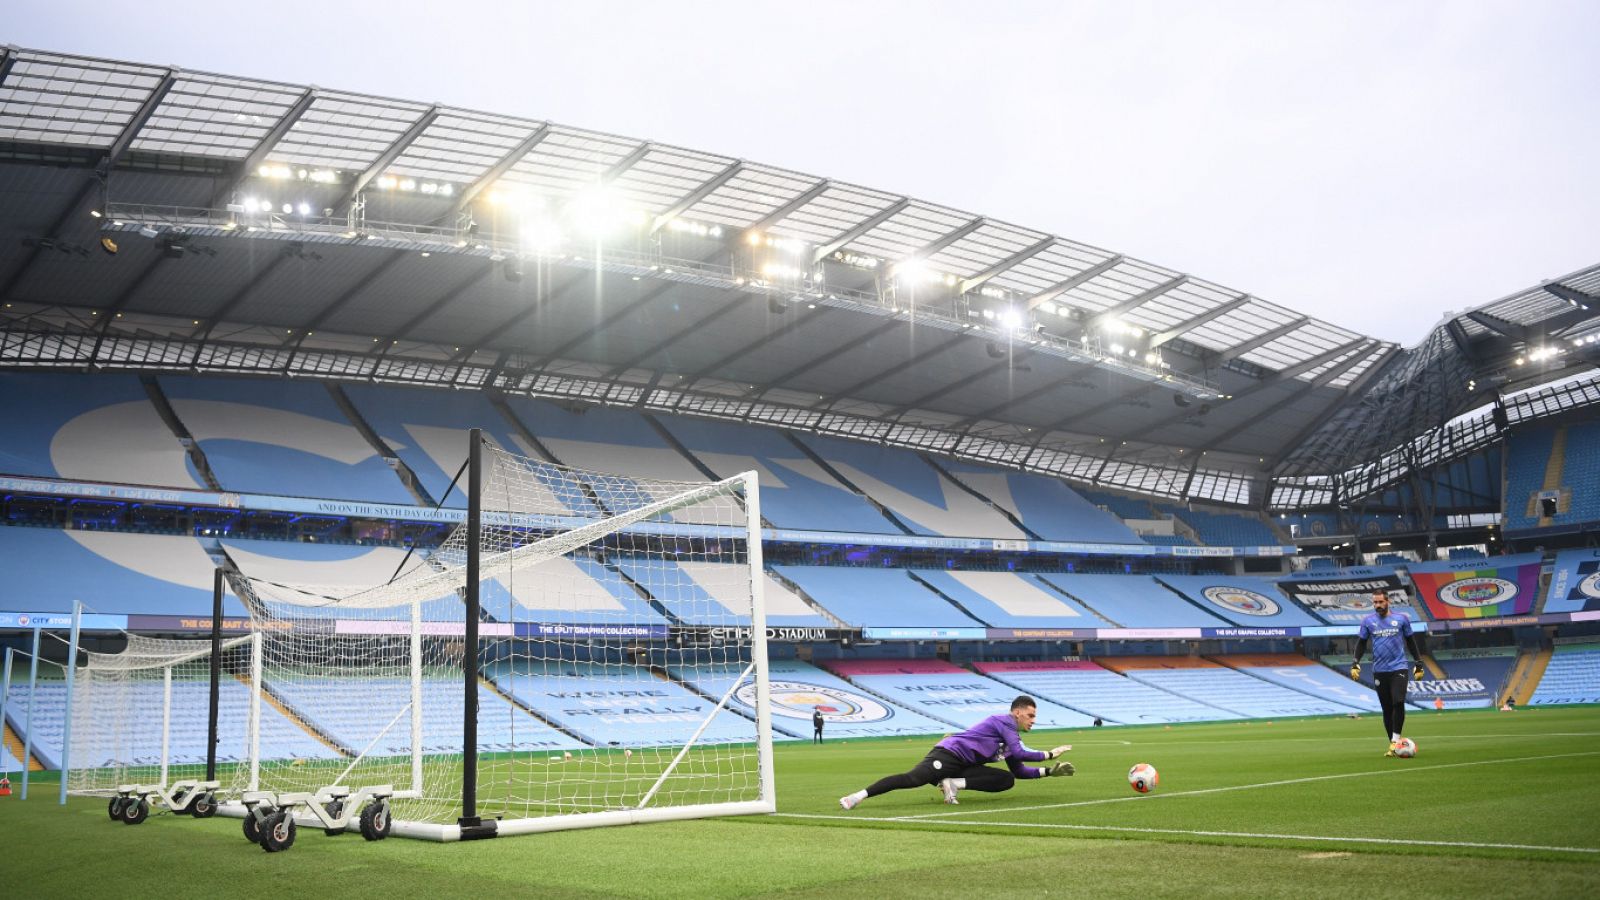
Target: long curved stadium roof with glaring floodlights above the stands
{"x":273,"y":228}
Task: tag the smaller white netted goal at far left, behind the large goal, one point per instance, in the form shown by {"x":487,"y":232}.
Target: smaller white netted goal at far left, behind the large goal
{"x":143,"y":717}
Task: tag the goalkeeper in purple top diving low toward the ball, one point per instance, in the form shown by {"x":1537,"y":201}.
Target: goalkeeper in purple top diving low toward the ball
{"x":958,"y":761}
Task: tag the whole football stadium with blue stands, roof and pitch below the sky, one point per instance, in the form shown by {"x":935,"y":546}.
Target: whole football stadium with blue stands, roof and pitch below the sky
{"x":438,"y":500}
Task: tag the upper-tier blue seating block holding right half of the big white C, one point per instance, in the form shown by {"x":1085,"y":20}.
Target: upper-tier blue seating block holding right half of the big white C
{"x":282,"y":438}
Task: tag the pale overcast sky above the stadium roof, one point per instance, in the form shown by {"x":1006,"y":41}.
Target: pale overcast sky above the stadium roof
{"x":1374,"y":164}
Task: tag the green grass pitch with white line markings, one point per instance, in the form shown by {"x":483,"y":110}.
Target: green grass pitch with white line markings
{"x":1497,"y":805}
